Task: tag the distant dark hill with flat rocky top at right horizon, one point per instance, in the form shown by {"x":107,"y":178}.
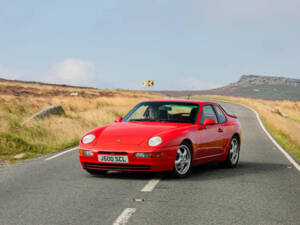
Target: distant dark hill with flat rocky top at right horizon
{"x":253,"y":86}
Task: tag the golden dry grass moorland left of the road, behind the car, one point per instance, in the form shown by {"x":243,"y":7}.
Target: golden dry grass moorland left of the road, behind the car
{"x":89,"y":109}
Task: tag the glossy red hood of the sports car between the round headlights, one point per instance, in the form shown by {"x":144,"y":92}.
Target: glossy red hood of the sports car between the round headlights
{"x":132,"y":133}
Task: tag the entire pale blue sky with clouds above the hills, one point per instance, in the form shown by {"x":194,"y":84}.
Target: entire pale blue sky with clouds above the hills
{"x":180,"y":44}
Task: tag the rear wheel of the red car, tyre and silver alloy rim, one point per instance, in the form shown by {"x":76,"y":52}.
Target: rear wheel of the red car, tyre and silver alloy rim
{"x":233,"y":155}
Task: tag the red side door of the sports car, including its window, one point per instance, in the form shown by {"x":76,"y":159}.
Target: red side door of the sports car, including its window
{"x":209,"y":138}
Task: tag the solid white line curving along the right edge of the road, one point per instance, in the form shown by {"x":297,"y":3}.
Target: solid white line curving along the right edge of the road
{"x":283,"y":151}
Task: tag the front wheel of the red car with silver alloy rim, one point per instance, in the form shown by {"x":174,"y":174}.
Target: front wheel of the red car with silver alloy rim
{"x":183,"y":161}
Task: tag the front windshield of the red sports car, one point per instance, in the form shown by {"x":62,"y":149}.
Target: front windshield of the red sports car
{"x":178,"y":112}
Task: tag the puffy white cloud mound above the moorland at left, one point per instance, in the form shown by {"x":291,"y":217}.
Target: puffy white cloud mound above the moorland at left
{"x":72,"y":71}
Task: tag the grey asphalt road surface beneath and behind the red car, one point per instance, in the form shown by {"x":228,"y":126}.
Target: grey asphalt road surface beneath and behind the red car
{"x":264,"y":189}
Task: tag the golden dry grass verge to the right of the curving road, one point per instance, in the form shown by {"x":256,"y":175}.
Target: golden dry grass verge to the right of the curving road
{"x":282,"y":118}
